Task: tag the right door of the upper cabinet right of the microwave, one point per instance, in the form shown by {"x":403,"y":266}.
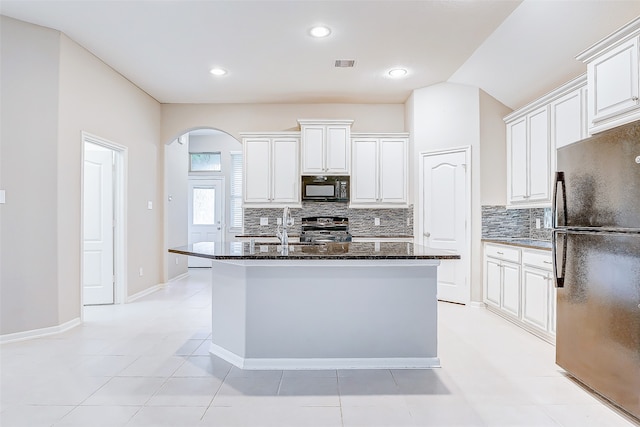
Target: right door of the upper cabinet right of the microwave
{"x":393,"y":170}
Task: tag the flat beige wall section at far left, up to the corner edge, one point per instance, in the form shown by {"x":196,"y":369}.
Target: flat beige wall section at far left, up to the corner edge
{"x":29,"y":126}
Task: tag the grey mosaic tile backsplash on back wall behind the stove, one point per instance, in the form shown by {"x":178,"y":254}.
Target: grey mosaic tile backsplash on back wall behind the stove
{"x":393,"y":222}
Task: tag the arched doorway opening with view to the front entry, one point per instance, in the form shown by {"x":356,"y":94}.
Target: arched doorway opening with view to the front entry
{"x":205,"y":162}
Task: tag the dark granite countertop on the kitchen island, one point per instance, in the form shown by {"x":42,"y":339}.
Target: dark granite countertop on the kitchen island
{"x":336,"y":251}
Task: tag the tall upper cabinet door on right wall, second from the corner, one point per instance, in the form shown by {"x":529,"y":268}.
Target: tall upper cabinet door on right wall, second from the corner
{"x":539,"y":159}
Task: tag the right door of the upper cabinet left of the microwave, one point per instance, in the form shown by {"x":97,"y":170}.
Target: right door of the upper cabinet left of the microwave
{"x":286,"y":178}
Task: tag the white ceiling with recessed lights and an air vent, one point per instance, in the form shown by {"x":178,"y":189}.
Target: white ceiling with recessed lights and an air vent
{"x":515,"y":51}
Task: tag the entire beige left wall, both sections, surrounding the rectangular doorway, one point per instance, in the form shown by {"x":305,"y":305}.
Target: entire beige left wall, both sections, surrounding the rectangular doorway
{"x":53,"y":89}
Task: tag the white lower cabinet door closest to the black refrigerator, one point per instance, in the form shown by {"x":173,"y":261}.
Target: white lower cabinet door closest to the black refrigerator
{"x":535,"y":297}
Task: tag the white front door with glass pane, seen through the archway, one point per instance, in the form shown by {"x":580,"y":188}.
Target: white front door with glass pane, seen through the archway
{"x":206,"y":222}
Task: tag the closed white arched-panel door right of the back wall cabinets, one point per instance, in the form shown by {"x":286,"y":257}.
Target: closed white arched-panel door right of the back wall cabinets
{"x":445,"y":212}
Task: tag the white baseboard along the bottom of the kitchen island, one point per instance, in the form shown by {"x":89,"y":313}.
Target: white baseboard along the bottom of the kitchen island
{"x":328,"y":363}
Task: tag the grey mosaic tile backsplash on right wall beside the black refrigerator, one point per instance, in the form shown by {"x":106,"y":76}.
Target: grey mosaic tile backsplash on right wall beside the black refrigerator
{"x":499,"y":222}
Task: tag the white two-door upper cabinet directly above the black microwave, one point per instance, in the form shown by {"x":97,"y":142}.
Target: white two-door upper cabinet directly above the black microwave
{"x":326,"y":148}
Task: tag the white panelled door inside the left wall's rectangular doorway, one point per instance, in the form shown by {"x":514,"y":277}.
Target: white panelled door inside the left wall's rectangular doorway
{"x":98,"y":255}
